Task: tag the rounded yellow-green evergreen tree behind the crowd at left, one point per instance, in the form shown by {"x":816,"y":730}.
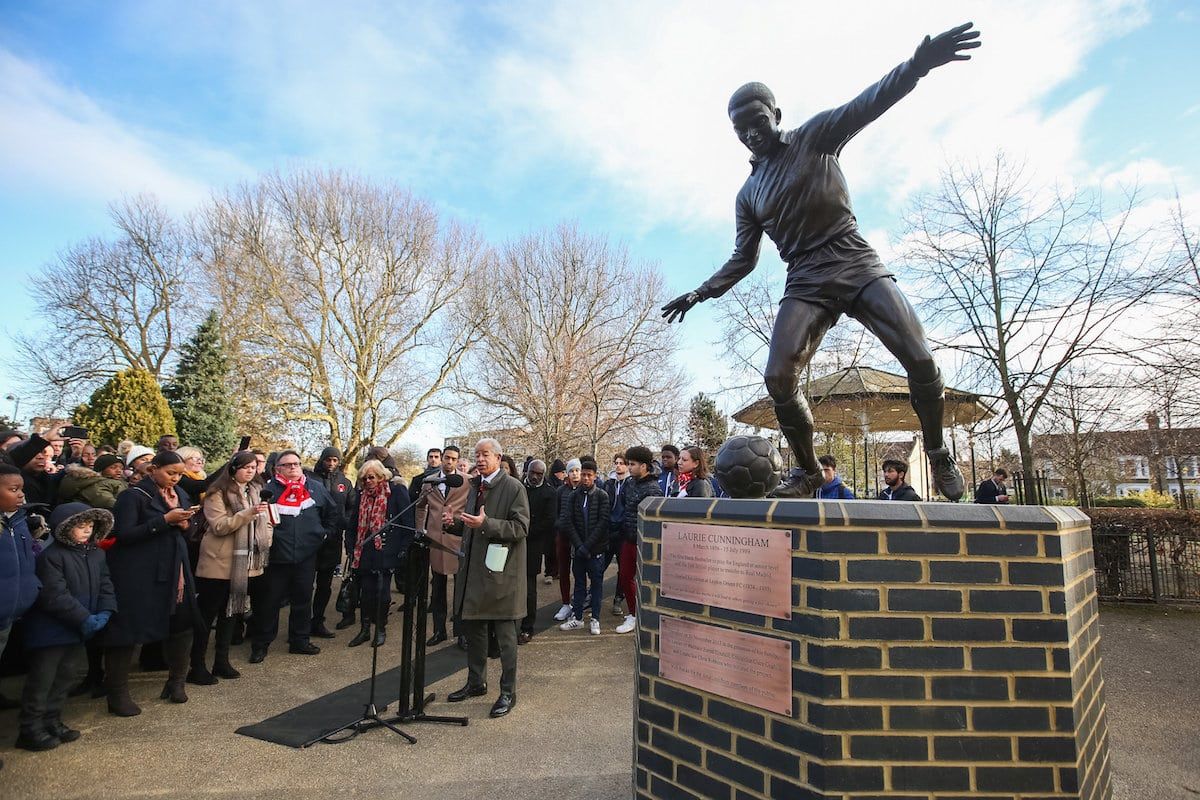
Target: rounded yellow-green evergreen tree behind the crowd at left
{"x":129,"y":406}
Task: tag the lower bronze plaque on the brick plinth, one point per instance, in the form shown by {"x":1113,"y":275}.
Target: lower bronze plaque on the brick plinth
{"x":747,"y":667}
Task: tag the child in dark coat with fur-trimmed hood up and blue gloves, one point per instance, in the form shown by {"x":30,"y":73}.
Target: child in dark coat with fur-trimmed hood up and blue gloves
{"x":74,"y":605}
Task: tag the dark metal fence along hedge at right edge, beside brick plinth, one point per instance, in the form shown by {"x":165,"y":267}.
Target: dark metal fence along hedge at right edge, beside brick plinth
{"x":1139,"y":566}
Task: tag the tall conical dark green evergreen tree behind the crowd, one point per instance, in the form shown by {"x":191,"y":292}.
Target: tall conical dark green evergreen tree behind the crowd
{"x":200,"y":393}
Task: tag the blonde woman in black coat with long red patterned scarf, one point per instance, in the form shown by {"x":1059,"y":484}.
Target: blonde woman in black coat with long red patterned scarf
{"x":374,"y":560}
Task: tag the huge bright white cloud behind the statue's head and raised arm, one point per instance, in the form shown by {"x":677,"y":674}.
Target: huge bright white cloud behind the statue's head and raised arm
{"x":639,"y":92}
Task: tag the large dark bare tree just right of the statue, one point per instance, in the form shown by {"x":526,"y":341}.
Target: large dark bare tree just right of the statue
{"x":1028,"y":285}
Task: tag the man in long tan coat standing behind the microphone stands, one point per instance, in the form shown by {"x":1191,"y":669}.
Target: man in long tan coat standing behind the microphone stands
{"x":434,"y":501}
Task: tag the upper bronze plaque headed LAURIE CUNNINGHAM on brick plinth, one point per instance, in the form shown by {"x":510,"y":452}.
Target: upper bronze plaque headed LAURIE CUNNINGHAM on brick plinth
{"x":745,"y":569}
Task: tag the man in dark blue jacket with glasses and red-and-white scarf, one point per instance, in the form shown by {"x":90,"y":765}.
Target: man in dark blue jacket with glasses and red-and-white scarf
{"x":307,"y":515}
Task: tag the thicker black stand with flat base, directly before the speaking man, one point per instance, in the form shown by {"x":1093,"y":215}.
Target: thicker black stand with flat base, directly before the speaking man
{"x":412,"y":661}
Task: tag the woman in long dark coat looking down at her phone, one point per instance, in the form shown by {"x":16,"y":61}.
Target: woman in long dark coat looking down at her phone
{"x":153,"y":578}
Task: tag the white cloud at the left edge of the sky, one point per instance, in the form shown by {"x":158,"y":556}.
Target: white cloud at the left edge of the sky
{"x":58,"y":141}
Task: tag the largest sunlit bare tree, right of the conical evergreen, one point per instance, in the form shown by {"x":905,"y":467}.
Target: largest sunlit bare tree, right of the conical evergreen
{"x":349,"y":300}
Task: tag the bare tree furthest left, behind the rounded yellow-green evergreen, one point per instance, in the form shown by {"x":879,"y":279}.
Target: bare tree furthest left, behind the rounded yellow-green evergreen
{"x":112,"y":304}
